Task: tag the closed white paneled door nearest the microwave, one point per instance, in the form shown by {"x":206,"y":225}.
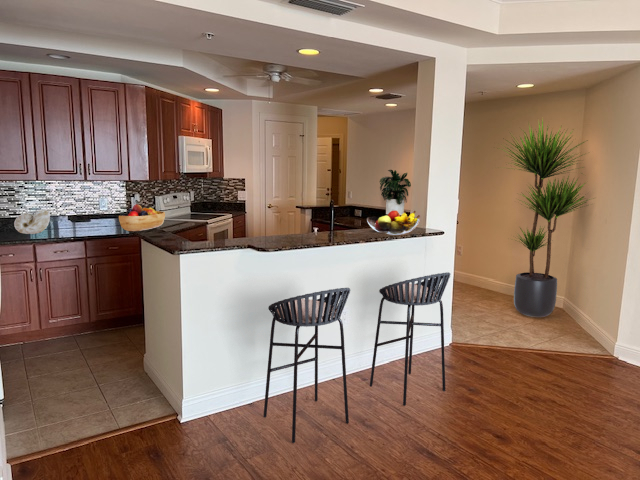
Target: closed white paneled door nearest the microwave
{"x":283,"y":176}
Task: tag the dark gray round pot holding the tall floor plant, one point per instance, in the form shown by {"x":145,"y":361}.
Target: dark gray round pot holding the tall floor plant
{"x":535,"y":297}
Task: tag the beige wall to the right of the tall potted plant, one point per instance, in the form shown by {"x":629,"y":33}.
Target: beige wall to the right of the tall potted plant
{"x":601,"y":231}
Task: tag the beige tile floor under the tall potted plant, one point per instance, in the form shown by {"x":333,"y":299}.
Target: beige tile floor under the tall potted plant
{"x":483,"y":317}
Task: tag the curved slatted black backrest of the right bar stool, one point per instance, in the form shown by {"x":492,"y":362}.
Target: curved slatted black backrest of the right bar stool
{"x":417,"y":291}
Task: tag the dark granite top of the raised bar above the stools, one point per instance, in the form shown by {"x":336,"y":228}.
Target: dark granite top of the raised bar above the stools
{"x":177,"y":245}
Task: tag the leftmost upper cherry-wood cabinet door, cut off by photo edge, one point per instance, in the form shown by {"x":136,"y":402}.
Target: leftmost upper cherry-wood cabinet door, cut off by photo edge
{"x":17,"y":159}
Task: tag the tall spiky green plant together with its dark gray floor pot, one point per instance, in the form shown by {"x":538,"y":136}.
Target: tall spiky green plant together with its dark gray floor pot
{"x":545,"y":154}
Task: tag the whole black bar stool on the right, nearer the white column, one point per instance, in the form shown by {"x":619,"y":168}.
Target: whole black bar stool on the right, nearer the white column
{"x":417,"y":291}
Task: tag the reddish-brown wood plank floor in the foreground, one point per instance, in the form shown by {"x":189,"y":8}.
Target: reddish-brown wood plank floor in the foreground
{"x":505,"y":414}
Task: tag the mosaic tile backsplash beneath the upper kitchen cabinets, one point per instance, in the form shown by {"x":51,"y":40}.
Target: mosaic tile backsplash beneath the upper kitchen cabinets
{"x":83,"y":198}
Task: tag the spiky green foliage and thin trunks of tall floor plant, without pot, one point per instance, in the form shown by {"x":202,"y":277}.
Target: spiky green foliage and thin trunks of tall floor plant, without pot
{"x":546,"y":154}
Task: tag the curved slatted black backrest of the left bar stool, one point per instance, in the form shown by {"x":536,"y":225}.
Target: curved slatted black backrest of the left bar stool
{"x":318,"y":308}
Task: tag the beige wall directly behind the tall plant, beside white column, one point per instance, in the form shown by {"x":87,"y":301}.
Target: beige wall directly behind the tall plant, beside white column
{"x":490,"y":213}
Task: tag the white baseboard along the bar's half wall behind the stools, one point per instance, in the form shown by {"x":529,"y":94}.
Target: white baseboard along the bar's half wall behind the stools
{"x":282,"y":381}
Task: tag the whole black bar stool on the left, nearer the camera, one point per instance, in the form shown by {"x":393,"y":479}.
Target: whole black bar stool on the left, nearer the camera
{"x":310,"y":310}
